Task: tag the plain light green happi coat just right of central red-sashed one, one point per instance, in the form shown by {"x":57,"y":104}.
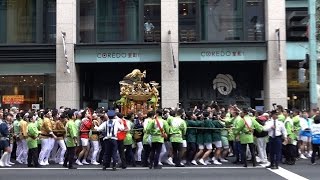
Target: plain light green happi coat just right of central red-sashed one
{"x":178,"y":129}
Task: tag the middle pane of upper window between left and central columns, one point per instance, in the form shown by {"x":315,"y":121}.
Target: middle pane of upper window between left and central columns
{"x":117,"y":20}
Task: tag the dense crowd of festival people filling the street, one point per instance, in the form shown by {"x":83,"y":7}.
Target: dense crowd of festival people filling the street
{"x":200,"y":136}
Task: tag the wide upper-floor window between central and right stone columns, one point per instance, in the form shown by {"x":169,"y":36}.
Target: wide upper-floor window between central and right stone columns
{"x":221,"y":20}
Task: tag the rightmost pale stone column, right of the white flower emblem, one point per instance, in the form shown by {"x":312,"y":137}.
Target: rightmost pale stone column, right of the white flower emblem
{"x":275,"y":79}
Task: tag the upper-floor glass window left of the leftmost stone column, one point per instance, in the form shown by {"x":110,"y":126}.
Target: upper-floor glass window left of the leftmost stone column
{"x":27,"y":21}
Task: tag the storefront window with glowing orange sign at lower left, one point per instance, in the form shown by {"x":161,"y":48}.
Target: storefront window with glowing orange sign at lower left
{"x":25,"y":91}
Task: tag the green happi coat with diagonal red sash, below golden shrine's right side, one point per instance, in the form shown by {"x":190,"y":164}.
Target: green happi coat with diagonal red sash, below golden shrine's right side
{"x":154,"y":130}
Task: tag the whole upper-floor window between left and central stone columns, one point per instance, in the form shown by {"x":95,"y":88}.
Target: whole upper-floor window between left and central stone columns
{"x":125,"y":21}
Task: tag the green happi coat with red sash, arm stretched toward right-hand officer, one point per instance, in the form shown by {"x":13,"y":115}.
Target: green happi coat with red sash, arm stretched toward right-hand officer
{"x":246,"y":136}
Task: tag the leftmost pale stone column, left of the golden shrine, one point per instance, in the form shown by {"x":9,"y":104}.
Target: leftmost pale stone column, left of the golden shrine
{"x":67,"y":87}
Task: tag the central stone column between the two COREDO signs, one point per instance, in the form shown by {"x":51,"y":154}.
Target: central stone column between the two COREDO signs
{"x":169,"y":42}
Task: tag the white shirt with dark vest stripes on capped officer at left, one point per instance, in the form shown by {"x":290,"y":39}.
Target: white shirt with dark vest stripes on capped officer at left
{"x":111,"y":133}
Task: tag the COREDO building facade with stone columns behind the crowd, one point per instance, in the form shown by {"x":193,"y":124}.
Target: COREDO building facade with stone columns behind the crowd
{"x":244,"y":52}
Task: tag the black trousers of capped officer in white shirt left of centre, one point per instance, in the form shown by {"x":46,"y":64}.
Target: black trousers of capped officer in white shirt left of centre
{"x":111,"y":149}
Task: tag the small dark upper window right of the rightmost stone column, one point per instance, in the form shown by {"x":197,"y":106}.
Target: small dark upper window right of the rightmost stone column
{"x":297,"y":23}
